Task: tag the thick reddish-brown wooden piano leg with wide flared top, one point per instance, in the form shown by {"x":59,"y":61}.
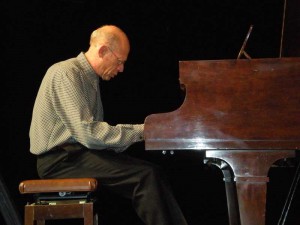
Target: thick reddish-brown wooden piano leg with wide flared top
{"x":250,"y":170}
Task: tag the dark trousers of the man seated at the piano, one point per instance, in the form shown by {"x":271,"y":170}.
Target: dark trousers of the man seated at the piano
{"x":136,"y":179}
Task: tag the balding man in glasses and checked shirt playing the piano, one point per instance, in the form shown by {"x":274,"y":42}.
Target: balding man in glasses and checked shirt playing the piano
{"x":70,"y":138}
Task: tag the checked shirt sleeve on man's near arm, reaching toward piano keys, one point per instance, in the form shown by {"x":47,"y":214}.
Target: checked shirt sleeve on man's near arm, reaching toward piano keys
{"x":73,"y":99}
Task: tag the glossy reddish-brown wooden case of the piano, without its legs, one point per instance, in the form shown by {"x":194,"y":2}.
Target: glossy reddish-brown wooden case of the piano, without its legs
{"x":232,"y":104}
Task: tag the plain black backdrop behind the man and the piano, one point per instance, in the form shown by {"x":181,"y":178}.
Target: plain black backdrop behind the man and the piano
{"x":36,"y":34}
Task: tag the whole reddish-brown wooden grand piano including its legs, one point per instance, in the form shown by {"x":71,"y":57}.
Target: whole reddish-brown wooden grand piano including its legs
{"x":245,"y":115}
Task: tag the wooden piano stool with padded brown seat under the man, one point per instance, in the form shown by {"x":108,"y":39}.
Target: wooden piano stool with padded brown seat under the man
{"x":60,"y":199}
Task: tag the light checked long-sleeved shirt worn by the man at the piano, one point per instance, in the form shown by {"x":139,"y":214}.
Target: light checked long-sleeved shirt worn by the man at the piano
{"x":68,"y":109}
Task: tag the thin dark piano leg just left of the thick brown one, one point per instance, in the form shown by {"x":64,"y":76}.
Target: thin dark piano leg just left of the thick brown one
{"x":232,"y":203}
